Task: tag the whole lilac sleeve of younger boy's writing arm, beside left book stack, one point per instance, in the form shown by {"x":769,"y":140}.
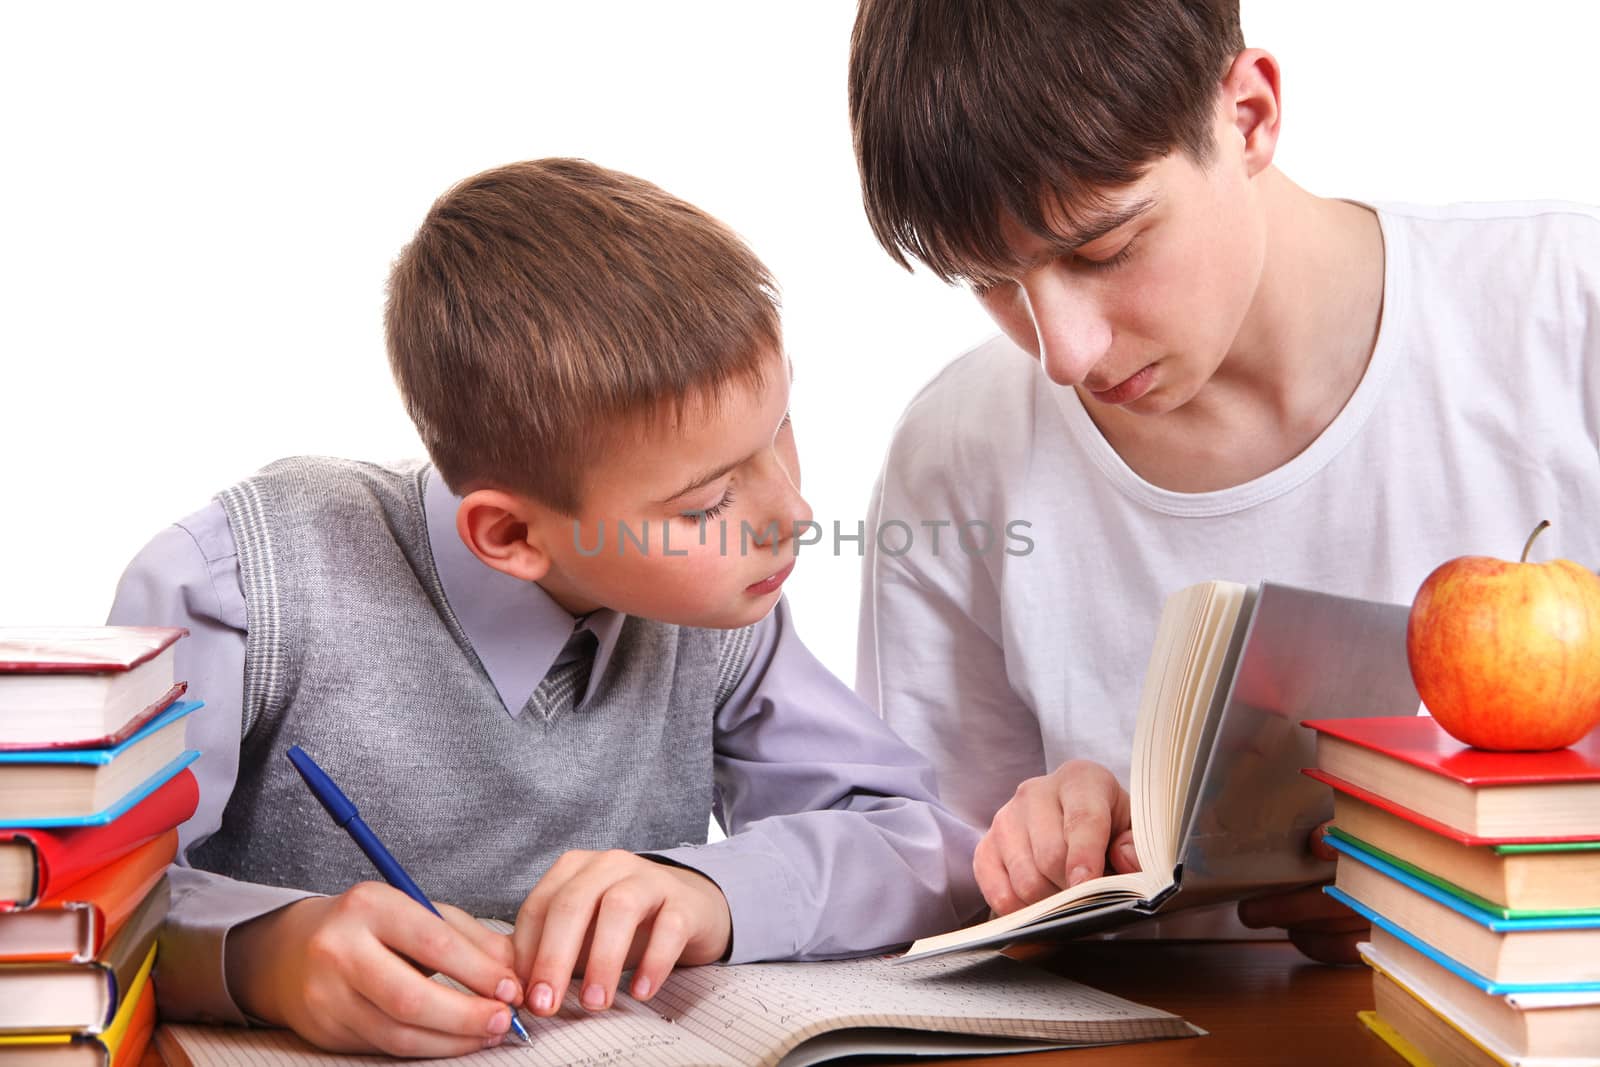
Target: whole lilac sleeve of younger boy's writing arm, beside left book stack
{"x":188,"y":575}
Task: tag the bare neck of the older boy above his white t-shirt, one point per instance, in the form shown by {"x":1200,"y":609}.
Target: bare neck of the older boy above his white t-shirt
{"x":1297,"y":361}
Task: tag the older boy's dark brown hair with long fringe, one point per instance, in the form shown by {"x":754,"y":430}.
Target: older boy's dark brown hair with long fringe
{"x":969,"y":110}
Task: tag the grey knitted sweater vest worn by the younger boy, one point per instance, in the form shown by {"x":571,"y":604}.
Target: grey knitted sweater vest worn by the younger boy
{"x":354,"y":655}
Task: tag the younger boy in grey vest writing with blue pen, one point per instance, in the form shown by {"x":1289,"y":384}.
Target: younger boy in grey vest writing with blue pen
{"x":534,"y":649}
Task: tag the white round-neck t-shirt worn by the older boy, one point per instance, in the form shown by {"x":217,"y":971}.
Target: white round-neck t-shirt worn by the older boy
{"x":1478,"y":418}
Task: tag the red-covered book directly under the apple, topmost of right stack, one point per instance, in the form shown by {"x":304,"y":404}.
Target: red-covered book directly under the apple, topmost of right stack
{"x":1409,"y":765}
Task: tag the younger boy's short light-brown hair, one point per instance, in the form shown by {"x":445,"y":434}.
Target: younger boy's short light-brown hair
{"x":542,"y":305}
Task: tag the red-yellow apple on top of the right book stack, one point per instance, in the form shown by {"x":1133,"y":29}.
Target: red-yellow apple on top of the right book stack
{"x":1508,"y":655}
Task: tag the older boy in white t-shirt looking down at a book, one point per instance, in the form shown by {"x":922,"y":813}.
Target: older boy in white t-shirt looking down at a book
{"x":1206,"y":374}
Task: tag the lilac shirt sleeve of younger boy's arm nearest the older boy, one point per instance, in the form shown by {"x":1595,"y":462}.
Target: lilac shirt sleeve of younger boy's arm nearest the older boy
{"x":838,"y":845}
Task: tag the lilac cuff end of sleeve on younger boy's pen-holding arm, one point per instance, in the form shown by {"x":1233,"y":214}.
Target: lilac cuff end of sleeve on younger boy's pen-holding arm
{"x":191,"y":975}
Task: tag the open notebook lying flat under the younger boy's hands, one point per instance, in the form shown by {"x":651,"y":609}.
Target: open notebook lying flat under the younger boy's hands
{"x":785,"y":1015}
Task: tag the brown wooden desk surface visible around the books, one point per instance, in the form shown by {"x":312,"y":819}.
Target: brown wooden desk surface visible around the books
{"x":1263,"y":1004}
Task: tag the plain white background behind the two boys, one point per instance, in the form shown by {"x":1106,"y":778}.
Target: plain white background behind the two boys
{"x":199,"y":206}
